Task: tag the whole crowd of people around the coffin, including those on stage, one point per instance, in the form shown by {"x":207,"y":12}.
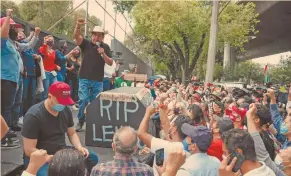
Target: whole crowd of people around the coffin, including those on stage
{"x":201,"y":129}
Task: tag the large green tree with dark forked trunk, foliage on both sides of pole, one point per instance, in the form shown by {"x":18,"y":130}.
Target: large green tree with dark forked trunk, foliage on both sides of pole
{"x":180,"y":28}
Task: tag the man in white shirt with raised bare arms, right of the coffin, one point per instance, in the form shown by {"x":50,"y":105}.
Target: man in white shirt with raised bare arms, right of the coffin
{"x":173,"y":131}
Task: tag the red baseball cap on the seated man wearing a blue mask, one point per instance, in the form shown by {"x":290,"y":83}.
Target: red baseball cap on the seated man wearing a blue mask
{"x":62,"y":92}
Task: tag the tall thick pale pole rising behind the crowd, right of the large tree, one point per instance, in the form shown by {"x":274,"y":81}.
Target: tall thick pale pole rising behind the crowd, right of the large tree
{"x":212,"y":43}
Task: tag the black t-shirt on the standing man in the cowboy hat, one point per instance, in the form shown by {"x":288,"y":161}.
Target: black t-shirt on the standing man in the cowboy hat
{"x":92,"y":66}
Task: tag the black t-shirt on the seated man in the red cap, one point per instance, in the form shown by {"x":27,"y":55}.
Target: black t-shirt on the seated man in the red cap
{"x":49,"y":130}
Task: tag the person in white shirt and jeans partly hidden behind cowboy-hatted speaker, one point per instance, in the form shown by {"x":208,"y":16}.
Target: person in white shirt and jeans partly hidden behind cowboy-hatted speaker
{"x":109,"y":74}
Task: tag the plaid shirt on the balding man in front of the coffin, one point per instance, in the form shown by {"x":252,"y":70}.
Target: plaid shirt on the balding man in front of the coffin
{"x":122,"y":165}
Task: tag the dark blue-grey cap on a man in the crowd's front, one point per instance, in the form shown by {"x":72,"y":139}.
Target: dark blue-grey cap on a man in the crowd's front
{"x":200,"y":135}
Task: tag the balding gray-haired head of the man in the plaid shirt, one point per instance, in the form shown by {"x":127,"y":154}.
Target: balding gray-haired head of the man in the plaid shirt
{"x":125,"y":140}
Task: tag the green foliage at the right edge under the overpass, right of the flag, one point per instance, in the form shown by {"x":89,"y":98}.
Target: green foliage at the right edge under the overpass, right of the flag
{"x":281,"y":72}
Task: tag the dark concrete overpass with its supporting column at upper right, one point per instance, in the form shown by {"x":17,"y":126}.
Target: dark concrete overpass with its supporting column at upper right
{"x":274,"y":32}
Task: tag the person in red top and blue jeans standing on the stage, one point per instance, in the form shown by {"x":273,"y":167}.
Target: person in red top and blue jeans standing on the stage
{"x":49,"y":56}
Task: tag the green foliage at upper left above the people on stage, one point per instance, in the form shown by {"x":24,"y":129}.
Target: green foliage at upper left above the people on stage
{"x":46,"y":13}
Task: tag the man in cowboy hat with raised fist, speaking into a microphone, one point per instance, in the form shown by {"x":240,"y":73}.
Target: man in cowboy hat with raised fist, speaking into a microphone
{"x":95,"y":54}
